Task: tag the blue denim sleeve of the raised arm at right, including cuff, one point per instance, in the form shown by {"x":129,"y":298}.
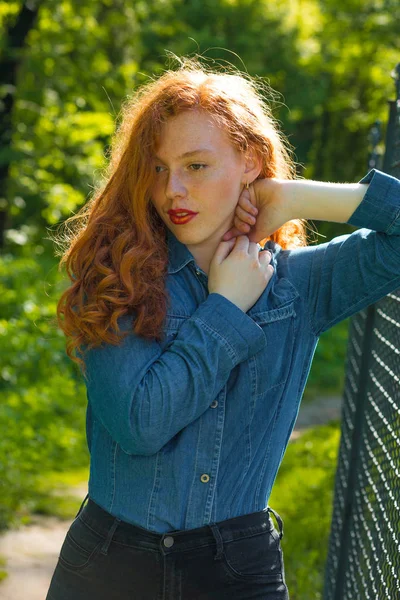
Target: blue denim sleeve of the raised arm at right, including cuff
{"x":339,"y":278}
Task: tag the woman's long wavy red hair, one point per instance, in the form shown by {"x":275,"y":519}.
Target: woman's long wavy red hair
{"x":114,"y":248}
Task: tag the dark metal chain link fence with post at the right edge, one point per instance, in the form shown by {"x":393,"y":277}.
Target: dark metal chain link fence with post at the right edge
{"x":364,"y":548}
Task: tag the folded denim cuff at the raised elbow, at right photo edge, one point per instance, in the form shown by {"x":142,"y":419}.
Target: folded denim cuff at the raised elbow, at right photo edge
{"x":379,"y":209}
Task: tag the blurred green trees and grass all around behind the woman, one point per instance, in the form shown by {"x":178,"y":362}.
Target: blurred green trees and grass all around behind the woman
{"x":65,"y":67}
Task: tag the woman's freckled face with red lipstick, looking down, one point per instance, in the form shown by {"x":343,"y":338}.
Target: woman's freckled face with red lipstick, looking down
{"x":197,"y":168}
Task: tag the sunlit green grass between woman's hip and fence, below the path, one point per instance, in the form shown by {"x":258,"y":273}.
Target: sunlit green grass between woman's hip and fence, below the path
{"x":303,"y":495}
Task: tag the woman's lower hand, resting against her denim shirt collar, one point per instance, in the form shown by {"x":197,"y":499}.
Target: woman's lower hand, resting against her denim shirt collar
{"x":239,"y":271}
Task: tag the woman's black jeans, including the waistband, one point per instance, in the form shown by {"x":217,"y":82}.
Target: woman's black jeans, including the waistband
{"x":104,"y":558}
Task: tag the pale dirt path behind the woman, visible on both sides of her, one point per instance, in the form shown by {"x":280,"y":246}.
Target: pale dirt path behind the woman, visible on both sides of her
{"x":32,"y":551}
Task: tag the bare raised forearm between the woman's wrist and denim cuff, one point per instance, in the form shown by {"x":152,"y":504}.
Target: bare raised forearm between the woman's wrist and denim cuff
{"x":323,"y":201}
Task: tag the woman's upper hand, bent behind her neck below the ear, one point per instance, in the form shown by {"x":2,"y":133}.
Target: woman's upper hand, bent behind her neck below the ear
{"x":267,"y":198}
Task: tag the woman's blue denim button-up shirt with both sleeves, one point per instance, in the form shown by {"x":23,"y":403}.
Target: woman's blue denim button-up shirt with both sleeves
{"x":192,"y":430}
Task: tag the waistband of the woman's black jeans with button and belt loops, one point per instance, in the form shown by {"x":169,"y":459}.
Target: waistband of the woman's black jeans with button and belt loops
{"x":106,"y":524}
